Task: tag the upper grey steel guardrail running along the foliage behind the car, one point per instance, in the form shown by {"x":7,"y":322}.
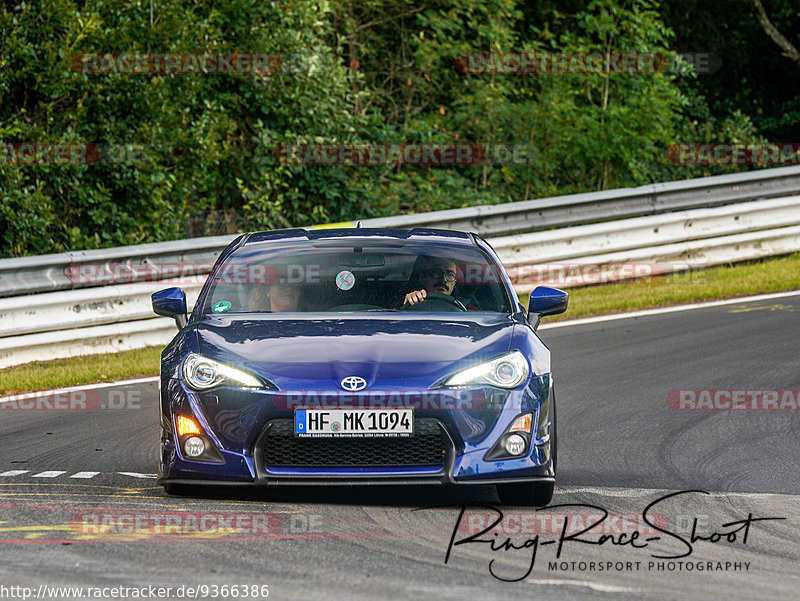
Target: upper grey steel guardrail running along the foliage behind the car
{"x":132,"y":263}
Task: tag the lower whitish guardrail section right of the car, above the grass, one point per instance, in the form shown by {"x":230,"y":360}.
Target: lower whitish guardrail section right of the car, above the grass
{"x":663,"y":243}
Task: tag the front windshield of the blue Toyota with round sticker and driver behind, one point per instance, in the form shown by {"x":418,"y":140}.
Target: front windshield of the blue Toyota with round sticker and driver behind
{"x":362,"y":275}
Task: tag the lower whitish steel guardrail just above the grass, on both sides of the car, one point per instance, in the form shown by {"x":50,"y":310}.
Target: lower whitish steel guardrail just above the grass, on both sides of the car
{"x":119,"y":317}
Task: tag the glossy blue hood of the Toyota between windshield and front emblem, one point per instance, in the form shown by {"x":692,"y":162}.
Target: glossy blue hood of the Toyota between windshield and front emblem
{"x":313,"y":351}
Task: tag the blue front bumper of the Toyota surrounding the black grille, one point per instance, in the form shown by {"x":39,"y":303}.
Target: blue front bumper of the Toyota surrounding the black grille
{"x":236,"y":423}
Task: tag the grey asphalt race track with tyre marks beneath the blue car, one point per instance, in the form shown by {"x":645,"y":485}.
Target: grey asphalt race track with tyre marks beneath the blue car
{"x":79,"y":507}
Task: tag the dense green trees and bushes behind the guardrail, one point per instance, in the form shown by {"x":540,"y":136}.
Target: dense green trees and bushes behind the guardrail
{"x":202,"y":147}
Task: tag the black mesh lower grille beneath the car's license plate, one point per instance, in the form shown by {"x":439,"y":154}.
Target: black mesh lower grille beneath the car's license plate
{"x":427,"y":447}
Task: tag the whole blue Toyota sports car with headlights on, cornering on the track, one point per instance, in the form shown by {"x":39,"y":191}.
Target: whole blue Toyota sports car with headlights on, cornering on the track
{"x":359,"y":356}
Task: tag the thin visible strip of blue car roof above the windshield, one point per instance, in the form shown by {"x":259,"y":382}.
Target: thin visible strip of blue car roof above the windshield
{"x":351,"y":234}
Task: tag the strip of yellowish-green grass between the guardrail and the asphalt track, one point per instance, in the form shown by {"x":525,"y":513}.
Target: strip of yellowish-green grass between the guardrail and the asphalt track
{"x":743,"y":279}
